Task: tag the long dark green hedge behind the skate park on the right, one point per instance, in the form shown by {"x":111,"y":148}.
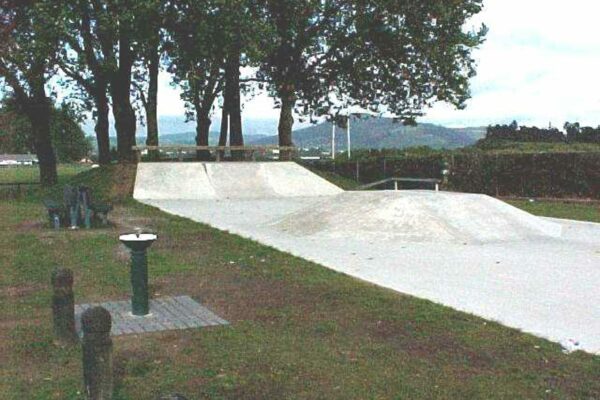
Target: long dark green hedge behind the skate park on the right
{"x":520,"y":174}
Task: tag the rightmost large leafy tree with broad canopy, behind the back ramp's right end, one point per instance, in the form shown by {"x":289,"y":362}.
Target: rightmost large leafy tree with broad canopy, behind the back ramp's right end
{"x":381,"y":55}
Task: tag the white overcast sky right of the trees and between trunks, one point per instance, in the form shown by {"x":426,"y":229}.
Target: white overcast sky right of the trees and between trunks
{"x":540,"y":64}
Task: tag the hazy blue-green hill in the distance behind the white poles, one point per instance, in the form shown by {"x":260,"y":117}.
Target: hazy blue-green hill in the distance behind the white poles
{"x":375,"y":133}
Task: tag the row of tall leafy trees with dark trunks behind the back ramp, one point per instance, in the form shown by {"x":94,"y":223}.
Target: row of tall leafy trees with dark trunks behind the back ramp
{"x":315,"y":58}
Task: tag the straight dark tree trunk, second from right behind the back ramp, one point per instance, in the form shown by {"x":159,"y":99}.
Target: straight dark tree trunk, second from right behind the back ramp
{"x":232,"y":90}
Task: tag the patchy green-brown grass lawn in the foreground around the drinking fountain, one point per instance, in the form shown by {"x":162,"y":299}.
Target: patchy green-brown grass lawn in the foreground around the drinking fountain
{"x":298,"y":330}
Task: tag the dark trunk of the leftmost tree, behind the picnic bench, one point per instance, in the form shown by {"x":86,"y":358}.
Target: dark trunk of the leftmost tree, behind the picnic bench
{"x":39,"y":115}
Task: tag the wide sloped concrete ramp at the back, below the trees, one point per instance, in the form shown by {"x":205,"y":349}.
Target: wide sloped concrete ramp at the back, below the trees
{"x":243,"y":180}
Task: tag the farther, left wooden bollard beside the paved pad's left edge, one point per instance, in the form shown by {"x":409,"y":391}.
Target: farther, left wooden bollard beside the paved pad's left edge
{"x":63,"y":307}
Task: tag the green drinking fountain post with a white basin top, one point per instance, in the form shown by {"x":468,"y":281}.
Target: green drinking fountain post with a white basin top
{"x":138,"y":243}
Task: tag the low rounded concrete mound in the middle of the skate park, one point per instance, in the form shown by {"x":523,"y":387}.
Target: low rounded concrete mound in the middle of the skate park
{"x":417,"y":216}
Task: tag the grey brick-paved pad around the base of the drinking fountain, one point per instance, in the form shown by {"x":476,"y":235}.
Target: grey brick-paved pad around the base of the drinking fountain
{"x":167,"y":313}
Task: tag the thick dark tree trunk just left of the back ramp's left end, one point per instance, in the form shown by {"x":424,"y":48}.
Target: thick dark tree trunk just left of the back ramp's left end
{"x":125,"y":123}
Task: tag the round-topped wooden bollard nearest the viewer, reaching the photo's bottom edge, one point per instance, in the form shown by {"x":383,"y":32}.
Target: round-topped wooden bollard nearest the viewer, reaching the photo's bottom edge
{"x":97,"y":354}
